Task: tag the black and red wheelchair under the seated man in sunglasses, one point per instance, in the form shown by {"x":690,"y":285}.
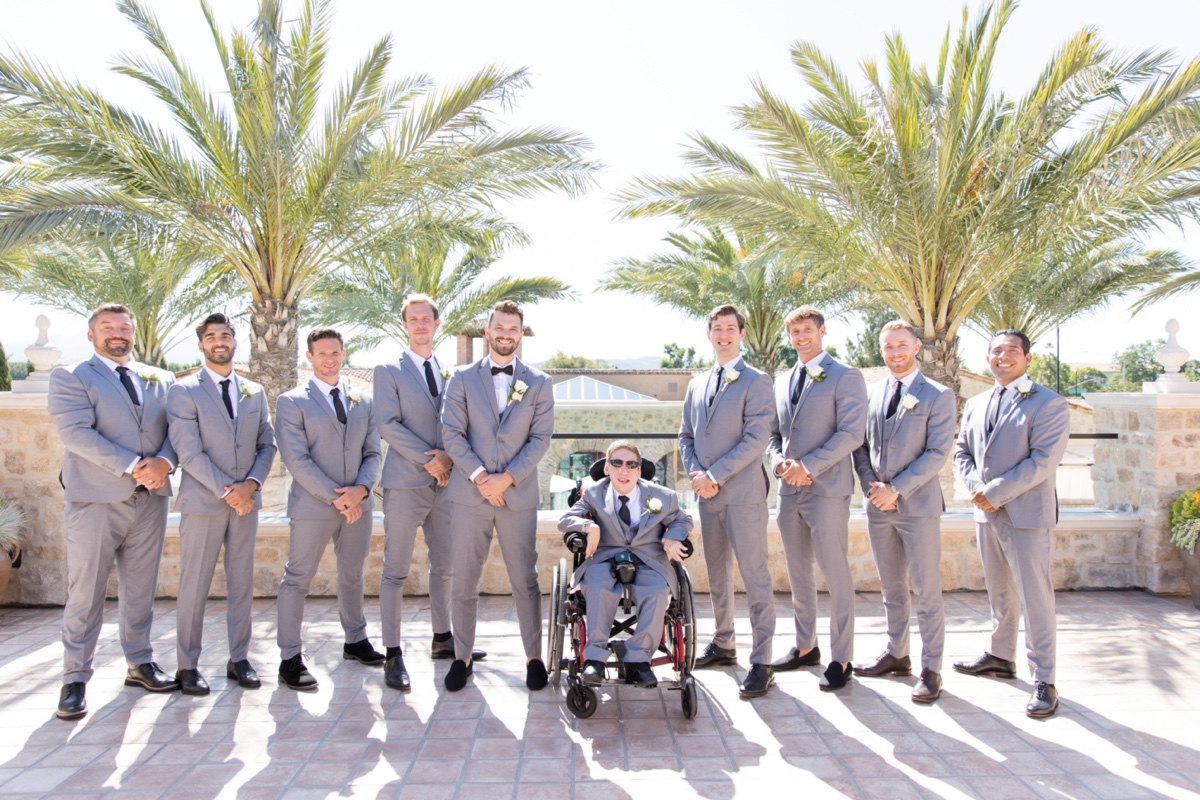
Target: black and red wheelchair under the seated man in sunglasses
{"x":568,"y":622}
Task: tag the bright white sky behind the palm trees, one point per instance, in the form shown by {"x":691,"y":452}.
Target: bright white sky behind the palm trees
{"x":637,"y":79}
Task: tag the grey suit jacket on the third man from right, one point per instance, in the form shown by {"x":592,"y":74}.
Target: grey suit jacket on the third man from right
{"x":827,"y":426}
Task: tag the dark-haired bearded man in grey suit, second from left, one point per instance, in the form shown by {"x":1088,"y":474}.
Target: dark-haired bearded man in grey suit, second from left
{"x":221,"y":429}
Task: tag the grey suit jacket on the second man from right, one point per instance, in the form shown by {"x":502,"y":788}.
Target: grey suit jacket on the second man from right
{"x":909,"y":450}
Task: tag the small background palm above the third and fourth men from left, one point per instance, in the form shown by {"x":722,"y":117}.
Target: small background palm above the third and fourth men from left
{"x":369,"y":293}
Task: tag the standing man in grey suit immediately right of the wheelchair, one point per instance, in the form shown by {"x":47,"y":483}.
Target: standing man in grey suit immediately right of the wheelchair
{"x":727,"y":424}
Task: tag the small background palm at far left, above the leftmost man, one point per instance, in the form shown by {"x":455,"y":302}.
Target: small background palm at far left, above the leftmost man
{"x":166,"y":286}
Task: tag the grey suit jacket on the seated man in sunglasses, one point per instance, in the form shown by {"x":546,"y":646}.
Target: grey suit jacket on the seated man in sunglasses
{"x":645,"y":539}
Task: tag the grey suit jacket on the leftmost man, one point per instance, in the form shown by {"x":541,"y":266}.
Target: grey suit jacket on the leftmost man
{"x":104,"y":432}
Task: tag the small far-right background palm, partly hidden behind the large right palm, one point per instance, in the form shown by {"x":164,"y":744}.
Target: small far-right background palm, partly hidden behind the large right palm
{"x":1043,"y":298}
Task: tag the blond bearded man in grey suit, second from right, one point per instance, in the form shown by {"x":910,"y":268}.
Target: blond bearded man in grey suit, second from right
{"x":910,"y":432}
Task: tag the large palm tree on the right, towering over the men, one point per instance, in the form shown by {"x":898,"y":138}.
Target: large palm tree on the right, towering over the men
{"x":931,"y":191}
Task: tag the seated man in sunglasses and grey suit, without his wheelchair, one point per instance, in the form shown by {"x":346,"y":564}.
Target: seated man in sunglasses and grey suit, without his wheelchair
{"x":628,"y":528}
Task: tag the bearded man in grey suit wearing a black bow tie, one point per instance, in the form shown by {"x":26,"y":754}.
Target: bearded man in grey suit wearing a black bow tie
{"x":497,"y":424}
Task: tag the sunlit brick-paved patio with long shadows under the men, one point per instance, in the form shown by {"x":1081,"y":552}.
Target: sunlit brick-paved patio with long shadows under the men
{"x":1130,"y":676}
